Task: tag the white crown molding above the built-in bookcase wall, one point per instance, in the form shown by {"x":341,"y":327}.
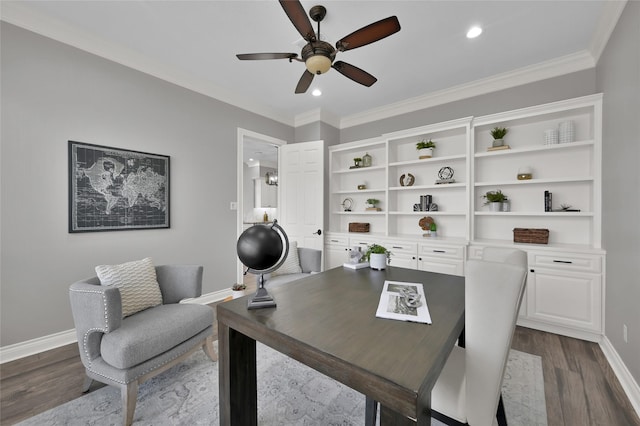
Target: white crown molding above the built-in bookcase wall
{"x":556,"y":67}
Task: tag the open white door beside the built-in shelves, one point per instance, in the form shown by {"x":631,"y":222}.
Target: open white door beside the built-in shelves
{"x":301,"y":185}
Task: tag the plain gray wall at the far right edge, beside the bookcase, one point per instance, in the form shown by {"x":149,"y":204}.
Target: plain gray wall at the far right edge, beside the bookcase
{"x":618,"y":77}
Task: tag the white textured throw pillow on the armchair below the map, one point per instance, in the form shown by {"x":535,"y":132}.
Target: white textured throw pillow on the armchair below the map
{"x":139,"y":288}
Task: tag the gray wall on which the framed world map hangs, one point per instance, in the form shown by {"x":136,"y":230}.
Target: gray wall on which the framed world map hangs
{"x":52,"y":93}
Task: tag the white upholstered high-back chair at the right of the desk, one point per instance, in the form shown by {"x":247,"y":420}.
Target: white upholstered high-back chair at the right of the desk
{"x":468,"y":390}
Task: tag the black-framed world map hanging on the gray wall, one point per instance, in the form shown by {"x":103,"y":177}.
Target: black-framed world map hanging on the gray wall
{"x":112,"y":189}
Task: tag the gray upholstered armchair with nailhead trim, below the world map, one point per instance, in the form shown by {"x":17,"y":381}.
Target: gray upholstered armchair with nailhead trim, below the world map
{"x":124,"y":352}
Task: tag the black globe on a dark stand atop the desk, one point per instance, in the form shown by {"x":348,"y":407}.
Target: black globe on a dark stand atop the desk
{"x":262,"y":249}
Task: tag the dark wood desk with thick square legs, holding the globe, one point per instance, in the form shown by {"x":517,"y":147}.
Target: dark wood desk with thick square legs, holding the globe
{"x":327,"y":321}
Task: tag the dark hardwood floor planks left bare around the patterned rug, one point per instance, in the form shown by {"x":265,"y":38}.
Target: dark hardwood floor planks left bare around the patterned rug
{"x":580,"y":387}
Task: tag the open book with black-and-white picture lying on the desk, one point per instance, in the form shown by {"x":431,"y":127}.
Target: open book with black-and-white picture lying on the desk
{"x":403,"y":301}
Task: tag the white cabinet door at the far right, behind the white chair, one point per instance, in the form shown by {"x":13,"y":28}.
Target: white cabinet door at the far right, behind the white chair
{"x":566,"y":298}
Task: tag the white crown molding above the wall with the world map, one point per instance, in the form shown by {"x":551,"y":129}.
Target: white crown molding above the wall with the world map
{"x":28,"y":19}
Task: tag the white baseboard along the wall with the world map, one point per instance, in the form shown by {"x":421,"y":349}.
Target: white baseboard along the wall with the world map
{"x":52,"y":341}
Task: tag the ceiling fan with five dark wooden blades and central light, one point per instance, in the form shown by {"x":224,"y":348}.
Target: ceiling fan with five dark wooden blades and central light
{"x":319,"y":55}
